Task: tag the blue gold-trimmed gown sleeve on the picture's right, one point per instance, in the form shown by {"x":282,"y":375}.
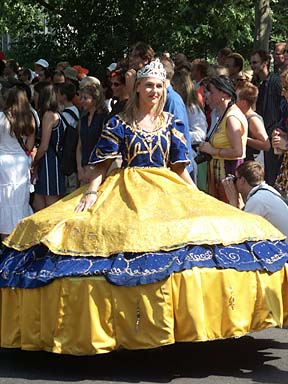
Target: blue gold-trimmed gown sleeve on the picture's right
{"x":178,"y":148}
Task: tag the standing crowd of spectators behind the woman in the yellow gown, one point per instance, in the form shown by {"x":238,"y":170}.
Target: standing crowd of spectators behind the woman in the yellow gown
{"x":230,"y":115}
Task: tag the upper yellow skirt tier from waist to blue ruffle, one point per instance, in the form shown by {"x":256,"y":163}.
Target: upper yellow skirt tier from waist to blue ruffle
{"x":139,"y":210}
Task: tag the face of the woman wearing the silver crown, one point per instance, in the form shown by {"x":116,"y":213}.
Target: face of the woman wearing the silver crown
{"x":150,"y":91}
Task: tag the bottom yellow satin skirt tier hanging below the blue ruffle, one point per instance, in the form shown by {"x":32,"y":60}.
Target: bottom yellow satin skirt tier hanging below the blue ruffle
{"x":89,"y":315}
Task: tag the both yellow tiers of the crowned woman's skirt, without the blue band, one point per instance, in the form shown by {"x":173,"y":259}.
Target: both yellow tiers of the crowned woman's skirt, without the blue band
{"x":88,"y":315}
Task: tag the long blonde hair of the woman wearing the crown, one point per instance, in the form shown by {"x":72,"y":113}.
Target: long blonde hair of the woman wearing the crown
{"x":132,"y":106}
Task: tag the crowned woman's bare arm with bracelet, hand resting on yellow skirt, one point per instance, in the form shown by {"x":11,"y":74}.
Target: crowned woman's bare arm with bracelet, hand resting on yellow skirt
{"x":98,"y":176}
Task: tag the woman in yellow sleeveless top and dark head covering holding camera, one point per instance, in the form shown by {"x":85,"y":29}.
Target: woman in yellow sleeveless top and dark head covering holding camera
{"x":227,"y":139}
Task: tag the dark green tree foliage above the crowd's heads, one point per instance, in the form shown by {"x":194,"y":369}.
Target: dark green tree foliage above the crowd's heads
{"x":95,"y":33}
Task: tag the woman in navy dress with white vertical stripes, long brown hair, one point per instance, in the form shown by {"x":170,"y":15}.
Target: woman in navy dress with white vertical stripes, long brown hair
{"x":47,"y":175}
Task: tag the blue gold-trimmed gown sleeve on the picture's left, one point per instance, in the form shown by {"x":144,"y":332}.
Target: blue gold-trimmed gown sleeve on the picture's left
{"x":108,"y":146}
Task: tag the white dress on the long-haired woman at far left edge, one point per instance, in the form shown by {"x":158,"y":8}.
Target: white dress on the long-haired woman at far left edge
{"x":14,"y":179}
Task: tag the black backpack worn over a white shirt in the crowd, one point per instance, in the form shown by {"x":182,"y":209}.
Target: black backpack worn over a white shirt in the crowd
{"x":69,"y":147}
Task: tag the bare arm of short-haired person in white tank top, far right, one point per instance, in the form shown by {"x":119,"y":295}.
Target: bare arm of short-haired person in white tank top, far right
{"x":259,"y":139}
